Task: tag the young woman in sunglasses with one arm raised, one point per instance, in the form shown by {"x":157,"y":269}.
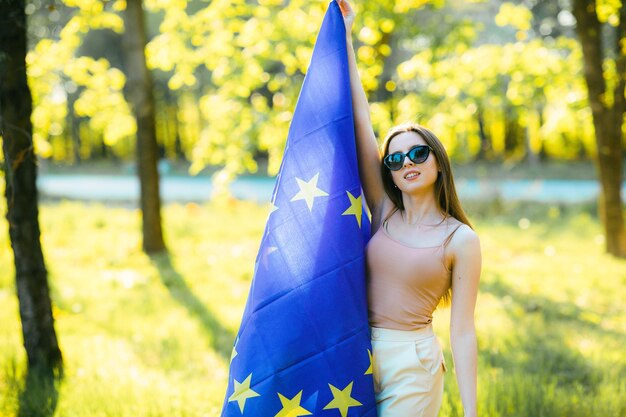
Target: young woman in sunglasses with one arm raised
{"x":422,"y":250}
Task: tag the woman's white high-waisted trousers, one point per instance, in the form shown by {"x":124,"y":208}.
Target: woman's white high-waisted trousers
{"x":408,"y":372}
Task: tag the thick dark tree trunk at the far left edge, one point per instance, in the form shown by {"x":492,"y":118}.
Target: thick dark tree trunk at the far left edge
{"x":31,"y":277}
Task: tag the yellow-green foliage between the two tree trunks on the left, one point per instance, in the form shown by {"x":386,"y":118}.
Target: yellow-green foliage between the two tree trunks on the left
{"x":54,"y":70}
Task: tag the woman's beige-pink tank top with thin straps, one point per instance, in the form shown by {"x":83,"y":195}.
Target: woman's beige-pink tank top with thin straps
{"x":406,"y":283}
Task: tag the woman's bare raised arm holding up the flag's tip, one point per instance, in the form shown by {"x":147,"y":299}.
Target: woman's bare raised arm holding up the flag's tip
{"x":367,"y":147}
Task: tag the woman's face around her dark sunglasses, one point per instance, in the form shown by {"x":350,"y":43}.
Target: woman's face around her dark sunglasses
{"x":412,"y":176}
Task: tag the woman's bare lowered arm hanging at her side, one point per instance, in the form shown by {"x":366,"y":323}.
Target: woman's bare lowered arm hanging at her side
{"x":465,"y":249}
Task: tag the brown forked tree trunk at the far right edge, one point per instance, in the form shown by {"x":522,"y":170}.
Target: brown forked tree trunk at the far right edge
{"x":606,"y":98}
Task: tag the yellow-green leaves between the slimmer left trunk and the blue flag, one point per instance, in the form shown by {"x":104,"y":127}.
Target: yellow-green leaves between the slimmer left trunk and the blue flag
{"x":250,"y":51}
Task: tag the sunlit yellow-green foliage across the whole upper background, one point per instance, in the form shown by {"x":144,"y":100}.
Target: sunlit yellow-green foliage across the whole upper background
{"x":228,"y":74}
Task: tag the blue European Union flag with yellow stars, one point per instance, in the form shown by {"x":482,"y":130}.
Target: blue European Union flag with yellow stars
{"x":303,"y":347}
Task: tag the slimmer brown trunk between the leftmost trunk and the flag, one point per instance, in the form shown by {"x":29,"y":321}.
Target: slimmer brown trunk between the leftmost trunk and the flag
{"x":140,"y":95}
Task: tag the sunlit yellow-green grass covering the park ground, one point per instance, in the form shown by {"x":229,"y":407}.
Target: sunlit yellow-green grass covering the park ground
{"x":151,"y":337}
